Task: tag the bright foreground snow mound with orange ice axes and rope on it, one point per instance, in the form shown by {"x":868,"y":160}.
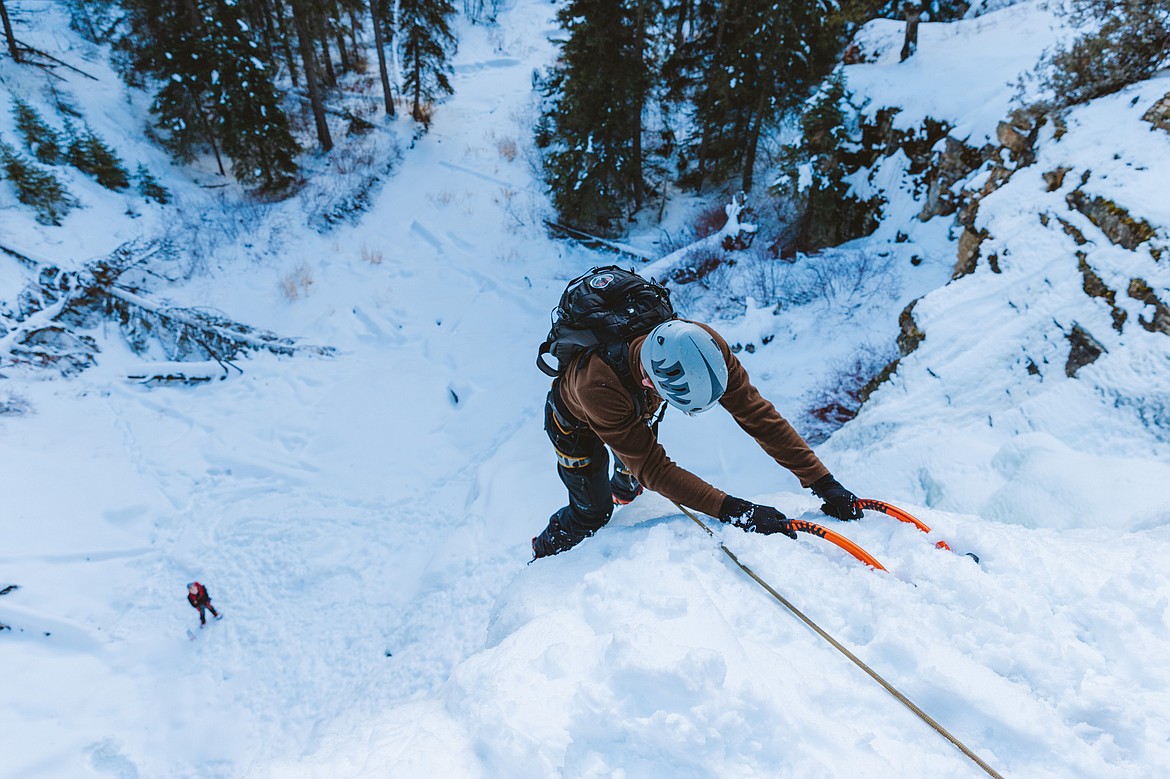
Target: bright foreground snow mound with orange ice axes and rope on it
{"x":648,"y":656}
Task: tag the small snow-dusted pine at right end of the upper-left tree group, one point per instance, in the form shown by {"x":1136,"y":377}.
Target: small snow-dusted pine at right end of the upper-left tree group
{"x":426,"y":45}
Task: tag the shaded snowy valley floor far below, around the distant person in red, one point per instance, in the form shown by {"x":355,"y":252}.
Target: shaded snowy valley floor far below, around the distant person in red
{"x":335,"y":508}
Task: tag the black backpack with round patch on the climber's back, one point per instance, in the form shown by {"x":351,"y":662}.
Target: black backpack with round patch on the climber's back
{"x":601,"y":312}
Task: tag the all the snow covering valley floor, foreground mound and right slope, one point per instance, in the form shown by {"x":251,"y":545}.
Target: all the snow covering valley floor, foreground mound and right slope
{"x":363,"y":521}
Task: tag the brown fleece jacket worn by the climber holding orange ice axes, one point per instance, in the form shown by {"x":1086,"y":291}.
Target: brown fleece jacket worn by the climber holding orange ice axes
{"x":594,"y":394}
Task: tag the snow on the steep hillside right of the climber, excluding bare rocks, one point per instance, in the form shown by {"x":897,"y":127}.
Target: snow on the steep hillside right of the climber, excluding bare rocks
{"x":989,"y":384}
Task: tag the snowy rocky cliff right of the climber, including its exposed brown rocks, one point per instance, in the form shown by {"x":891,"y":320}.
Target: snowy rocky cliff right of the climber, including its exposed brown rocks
{"x":1045,"y":356}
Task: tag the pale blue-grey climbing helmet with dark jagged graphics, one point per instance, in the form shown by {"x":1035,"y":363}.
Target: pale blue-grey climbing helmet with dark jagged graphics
{"x":685,"y":366}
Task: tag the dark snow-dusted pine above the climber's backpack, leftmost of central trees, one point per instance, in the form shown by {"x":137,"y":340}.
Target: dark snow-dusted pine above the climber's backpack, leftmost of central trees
{"x":593,"y":123}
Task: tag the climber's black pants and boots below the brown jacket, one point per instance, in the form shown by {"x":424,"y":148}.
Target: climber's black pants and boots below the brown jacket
{"x":583,"y":464}
